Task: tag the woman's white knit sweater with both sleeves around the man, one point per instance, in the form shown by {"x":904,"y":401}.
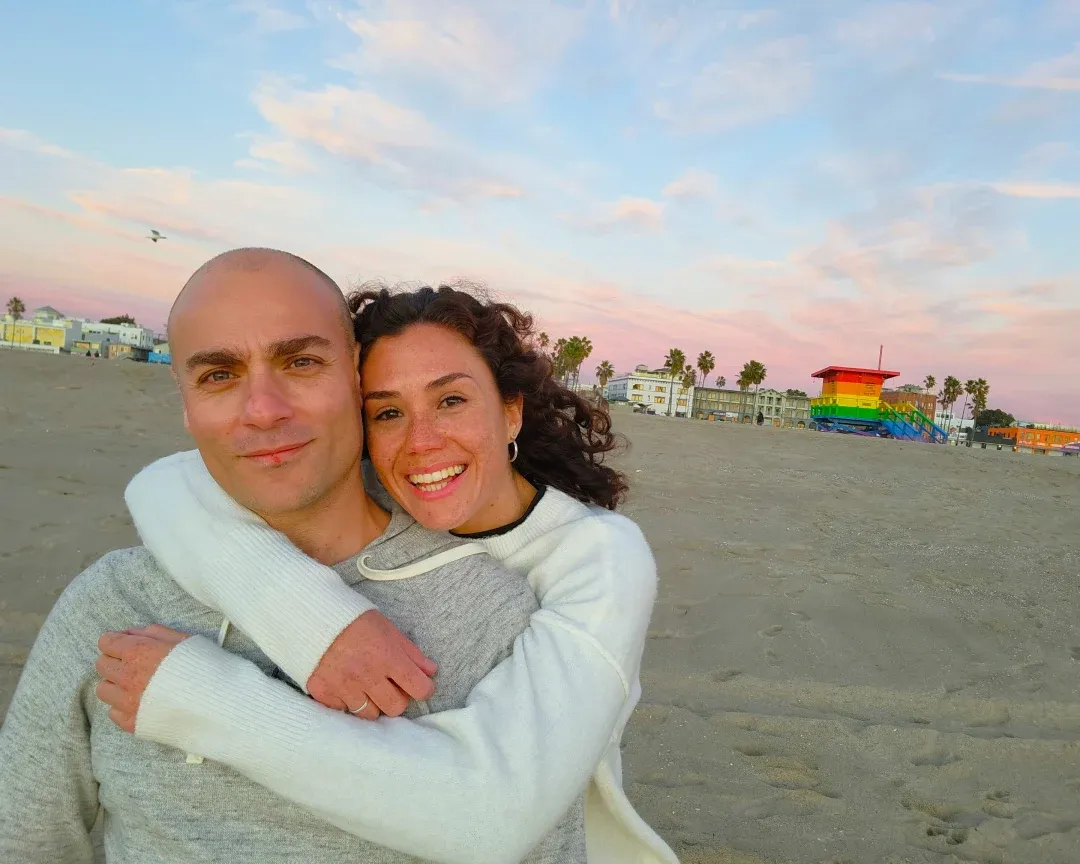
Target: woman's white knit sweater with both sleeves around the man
{"x":484,"y":784}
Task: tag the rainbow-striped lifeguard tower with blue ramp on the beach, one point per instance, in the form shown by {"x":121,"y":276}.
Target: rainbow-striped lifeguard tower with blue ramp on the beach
{"x":852,"y":402}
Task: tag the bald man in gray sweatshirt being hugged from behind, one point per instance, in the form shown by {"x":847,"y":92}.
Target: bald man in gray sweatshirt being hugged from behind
{"x":267,"y":368}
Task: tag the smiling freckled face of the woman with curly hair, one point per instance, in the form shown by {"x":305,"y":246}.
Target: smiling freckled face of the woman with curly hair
{"x":438,"y":429}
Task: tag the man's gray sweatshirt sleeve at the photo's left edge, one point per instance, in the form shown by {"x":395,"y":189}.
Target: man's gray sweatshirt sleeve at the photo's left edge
{"x":49,"y":804}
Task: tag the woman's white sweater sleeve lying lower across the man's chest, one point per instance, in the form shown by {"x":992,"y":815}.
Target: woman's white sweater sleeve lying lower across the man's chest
{"x":482,"y":785}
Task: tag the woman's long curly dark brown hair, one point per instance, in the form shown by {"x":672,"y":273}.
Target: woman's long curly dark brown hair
{"x":564,"y":438}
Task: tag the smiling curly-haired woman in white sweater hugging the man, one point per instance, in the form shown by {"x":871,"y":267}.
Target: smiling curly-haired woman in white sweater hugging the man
{"x":470,"y":433}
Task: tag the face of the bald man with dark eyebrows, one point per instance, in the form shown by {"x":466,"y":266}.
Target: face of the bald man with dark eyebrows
{"x":271,"y":386}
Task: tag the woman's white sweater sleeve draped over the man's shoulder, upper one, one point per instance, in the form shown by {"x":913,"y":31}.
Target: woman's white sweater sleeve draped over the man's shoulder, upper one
{"x":220,"y":553}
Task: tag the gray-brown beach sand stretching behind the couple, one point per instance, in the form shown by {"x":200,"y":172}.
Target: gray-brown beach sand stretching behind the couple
{"x":863,"y":651}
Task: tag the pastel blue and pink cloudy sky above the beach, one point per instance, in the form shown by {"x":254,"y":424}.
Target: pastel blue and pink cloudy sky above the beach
{"x":795,"y":183}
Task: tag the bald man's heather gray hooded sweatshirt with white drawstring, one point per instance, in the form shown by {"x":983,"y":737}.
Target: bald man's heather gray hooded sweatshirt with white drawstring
{"x":62,"y":760}
